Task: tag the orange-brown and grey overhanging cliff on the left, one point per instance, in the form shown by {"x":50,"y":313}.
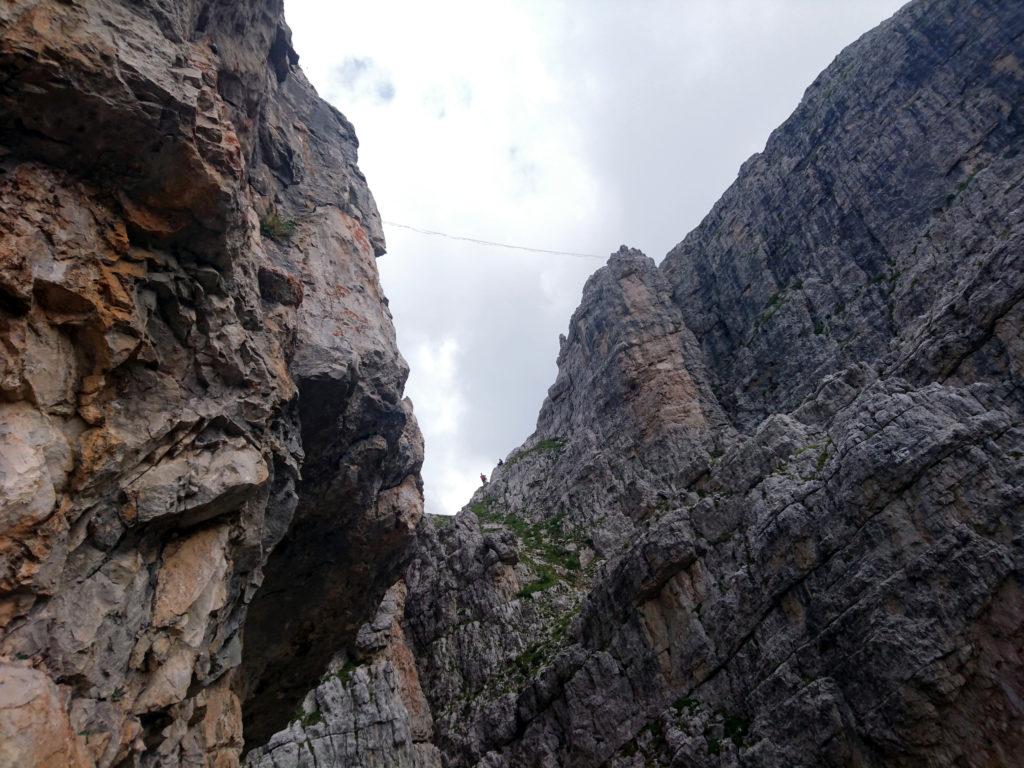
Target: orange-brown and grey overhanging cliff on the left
{"x":208,"y":474}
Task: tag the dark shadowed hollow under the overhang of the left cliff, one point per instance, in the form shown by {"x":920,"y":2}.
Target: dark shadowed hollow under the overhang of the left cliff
{"x":333,"y":567}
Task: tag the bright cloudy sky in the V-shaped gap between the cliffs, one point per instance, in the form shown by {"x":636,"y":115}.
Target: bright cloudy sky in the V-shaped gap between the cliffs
{"x":574,"y":126}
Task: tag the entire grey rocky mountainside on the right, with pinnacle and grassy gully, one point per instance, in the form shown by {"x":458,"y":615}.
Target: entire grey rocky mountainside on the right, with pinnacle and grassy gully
{"x":774,"y":513}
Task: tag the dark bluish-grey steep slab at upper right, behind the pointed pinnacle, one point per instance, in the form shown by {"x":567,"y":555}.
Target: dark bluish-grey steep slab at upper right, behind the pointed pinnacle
{"x":880,"y":224}
